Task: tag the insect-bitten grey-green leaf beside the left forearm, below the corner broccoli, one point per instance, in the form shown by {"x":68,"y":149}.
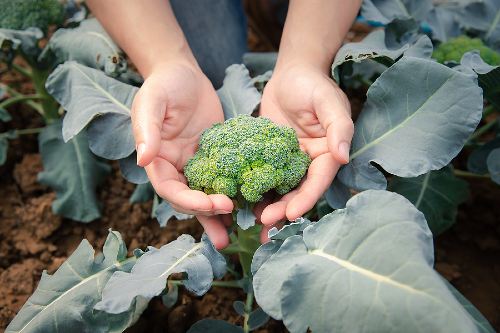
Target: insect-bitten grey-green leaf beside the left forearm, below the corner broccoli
{"x":89,"y":45}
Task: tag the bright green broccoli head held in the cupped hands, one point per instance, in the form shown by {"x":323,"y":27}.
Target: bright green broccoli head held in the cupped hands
{"x":247,"y":155}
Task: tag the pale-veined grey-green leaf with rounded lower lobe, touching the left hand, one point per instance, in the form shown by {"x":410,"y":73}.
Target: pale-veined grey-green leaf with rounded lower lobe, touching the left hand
{"x":86,"y":93}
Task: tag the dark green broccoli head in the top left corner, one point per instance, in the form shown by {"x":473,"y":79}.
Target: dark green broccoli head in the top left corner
{"x":23,"y":14}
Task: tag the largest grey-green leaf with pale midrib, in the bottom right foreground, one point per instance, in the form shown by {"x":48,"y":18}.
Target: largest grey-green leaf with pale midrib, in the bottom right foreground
{"x":370,"y":263}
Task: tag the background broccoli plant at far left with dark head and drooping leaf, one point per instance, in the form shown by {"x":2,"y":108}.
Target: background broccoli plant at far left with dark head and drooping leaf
{"x":71,"y":169}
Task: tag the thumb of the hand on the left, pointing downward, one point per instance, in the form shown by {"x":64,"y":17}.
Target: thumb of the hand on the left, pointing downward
{"x":148,"y":112}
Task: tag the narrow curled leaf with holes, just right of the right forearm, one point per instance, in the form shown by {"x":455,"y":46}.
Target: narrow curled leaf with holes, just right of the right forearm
{"x":374,"y":46}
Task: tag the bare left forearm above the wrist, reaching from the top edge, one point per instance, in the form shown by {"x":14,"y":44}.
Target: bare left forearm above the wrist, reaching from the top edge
{"x":146,"y":30}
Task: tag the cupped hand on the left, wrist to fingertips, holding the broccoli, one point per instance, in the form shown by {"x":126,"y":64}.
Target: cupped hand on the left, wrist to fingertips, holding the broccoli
{"x":169,"y":113}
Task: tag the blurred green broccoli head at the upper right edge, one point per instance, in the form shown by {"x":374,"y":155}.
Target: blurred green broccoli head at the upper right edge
{"x":455,"y":48}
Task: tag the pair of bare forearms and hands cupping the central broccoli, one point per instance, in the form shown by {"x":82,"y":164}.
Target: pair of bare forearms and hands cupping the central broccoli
{"x":177,"y":102}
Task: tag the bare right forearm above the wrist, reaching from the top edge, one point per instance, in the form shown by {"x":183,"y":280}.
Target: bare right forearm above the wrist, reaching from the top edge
{"x":314,"y":31}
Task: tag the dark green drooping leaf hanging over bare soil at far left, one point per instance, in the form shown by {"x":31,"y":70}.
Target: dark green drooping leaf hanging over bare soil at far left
{"x":73,"y":172}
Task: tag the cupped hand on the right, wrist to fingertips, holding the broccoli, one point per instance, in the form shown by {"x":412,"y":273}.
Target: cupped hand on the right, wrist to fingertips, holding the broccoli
{"x":307,"y":99}
